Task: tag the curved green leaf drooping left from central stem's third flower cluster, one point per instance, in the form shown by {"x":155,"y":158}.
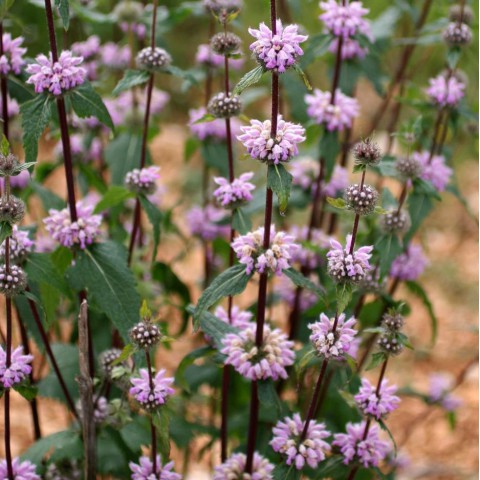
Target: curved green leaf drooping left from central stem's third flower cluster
{"x":232,"y":281}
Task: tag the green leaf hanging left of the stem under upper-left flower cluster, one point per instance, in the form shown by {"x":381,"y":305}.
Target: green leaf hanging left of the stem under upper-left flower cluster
{"x":36,"y":114}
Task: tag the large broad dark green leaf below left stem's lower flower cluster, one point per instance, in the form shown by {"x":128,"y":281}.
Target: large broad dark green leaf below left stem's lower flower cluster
{"x":102,"y":269}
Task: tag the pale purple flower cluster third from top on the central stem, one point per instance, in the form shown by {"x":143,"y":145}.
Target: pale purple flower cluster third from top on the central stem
{"x":249,"y":250}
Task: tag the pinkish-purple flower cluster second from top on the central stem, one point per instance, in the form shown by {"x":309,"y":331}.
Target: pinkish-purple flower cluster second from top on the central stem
{"x":260,"y":145}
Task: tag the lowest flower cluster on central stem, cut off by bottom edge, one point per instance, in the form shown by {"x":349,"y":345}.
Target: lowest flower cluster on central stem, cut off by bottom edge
{"x":234,"y":468}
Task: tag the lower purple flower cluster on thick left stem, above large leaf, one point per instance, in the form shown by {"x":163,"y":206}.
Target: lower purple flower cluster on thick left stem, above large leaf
{"x":83,"y":232}
